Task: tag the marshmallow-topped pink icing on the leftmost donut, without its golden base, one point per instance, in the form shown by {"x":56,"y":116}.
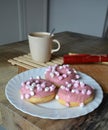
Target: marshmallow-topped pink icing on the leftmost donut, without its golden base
{"x":36,"y":87}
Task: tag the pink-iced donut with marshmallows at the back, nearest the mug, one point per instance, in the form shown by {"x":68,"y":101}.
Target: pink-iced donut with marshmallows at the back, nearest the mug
{"x":60,"y":74}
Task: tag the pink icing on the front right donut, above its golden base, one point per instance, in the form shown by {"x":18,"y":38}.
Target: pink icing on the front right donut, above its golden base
{"x":75,"y":94}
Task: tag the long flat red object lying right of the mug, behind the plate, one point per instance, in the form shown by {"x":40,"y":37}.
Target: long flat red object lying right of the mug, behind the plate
{"x":84,"y":58}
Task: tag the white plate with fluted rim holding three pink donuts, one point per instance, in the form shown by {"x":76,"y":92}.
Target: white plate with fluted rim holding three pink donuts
{"x":50,"y":110}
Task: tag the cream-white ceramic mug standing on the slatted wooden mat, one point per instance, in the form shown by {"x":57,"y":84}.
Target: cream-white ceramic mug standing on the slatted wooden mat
{"x":40,"y":44}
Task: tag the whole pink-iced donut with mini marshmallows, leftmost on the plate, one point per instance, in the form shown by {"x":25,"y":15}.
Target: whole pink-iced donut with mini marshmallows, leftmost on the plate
{"x":37,"y":90}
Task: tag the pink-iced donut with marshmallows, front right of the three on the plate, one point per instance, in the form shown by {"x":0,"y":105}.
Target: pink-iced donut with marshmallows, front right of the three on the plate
{"x":76,"y":93}
